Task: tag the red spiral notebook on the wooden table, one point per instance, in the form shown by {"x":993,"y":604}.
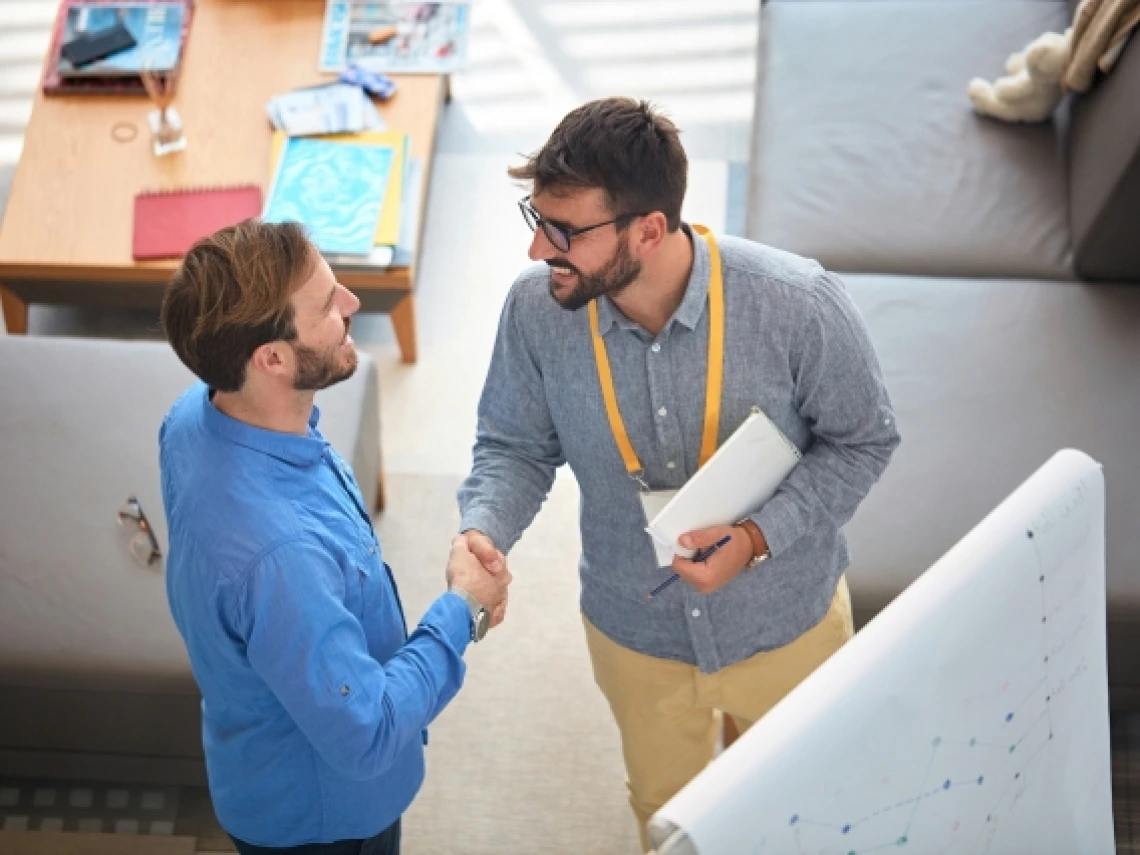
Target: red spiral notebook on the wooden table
{"x":168,"y":223}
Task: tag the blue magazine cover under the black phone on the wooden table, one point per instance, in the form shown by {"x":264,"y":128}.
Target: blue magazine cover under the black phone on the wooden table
{"x":157,"y":28}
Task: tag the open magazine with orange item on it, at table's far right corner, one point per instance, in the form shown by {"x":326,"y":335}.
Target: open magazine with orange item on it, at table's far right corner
{"x":395,"y":36}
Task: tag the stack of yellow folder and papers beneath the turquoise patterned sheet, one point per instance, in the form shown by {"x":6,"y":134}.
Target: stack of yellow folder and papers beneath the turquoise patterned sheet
{"x":394,"y":234}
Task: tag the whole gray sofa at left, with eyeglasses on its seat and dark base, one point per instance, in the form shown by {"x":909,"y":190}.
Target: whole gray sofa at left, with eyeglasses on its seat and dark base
{"x":94,"y":679}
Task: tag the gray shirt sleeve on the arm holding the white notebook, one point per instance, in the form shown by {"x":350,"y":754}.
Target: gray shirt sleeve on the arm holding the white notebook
{"x":842,"y":396}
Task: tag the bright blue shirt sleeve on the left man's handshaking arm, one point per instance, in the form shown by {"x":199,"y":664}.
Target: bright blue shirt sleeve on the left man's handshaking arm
{"x":312,"y":653}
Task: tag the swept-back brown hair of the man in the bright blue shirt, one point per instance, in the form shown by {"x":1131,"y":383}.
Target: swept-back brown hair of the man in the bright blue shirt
{"x":232,"y":295}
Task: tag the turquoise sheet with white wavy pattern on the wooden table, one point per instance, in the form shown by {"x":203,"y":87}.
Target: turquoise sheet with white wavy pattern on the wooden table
{"x":336,"y":190}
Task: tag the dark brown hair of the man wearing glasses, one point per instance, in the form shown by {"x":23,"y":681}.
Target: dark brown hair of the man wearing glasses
{"x":621,"y":145}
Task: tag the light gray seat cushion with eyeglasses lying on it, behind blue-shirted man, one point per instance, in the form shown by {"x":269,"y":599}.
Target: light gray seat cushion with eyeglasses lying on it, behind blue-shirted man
{"x":79,"y":430}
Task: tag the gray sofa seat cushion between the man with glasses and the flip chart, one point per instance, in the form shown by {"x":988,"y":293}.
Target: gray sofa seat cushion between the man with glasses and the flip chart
{"x":989,"y":380}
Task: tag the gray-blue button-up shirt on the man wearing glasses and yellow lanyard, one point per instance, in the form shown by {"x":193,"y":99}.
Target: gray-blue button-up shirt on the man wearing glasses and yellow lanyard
{"x":795,"y":347}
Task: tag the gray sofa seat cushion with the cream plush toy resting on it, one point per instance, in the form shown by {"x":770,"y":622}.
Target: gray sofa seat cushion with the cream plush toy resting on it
{"x":868,"y":156}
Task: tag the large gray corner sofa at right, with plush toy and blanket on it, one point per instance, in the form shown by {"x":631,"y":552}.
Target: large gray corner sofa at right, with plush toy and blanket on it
{"x":998,"y":266}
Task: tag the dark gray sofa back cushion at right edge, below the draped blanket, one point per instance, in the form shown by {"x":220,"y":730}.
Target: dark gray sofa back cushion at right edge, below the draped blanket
{"x":1105,"y":173}
